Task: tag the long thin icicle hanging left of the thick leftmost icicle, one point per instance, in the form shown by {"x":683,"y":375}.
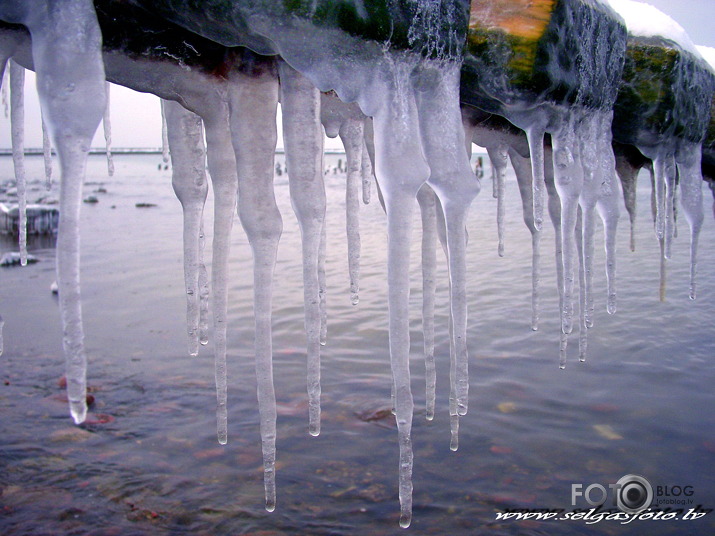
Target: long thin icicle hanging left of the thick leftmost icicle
{"x":17,"y":118}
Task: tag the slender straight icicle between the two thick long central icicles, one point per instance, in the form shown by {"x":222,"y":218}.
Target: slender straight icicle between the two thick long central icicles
{"x":427,"y":202}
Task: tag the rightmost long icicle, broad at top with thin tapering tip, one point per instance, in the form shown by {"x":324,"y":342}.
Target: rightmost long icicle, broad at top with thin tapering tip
{"x":689,"y":158}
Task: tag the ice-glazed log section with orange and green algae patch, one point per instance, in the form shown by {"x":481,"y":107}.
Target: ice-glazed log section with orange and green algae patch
{"x":524,"y":53}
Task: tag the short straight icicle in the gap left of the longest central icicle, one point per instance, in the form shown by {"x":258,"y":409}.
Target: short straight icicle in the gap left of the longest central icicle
{"x":351,"y":134}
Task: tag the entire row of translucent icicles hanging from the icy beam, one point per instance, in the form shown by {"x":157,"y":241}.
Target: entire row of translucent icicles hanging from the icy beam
{"x":406,"y":121}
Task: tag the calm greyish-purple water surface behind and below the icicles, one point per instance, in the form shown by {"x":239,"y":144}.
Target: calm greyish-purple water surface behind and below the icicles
{"x":147,"y":461}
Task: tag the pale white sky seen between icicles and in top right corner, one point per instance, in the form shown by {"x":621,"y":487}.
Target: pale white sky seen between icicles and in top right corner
{"x":136,"y":119}
